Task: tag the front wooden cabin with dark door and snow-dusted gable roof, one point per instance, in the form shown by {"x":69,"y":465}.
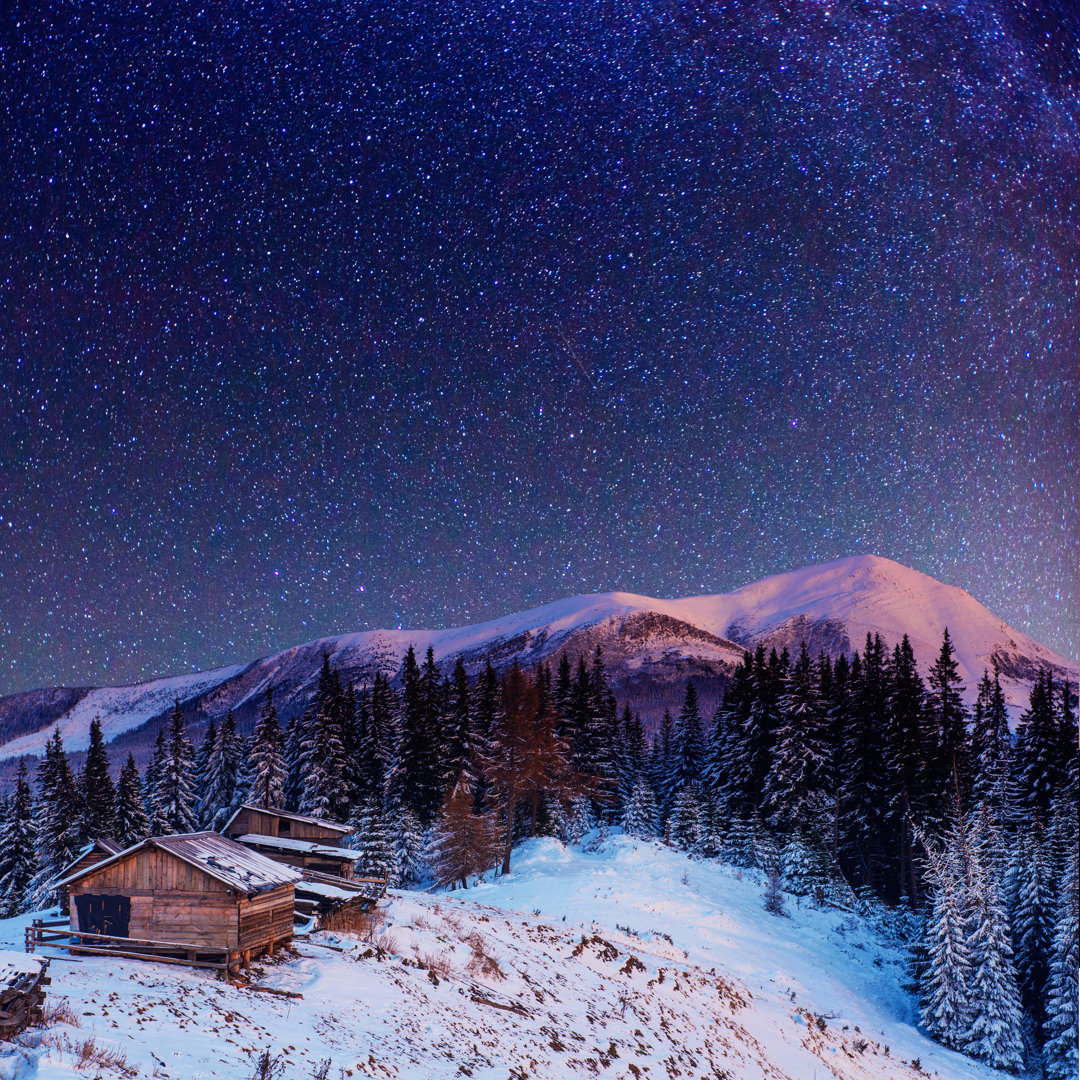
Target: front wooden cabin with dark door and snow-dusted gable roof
{"x":201,"y":893}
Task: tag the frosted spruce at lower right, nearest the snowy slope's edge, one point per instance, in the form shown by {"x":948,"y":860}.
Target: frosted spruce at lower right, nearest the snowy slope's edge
{"x":948,"y":979}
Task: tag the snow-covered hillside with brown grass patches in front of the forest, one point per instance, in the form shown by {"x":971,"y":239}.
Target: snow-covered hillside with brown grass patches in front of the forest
{"x":631,"y":962}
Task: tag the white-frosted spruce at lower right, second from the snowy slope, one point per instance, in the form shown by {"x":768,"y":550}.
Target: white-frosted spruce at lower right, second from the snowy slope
{"x":996,"y":1027}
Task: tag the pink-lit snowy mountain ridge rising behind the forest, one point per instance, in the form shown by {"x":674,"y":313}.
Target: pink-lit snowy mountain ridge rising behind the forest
{"x":651,"y":647}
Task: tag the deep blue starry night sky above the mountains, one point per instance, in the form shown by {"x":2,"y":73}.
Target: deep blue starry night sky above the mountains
{"x":323,"y":317}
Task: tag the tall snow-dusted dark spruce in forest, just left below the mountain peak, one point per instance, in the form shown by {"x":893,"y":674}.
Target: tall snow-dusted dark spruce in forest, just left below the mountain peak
{"x":795,"y":787}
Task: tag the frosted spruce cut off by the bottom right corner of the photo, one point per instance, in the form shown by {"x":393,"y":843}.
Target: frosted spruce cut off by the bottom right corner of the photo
{"x":1060,"y":1051}
